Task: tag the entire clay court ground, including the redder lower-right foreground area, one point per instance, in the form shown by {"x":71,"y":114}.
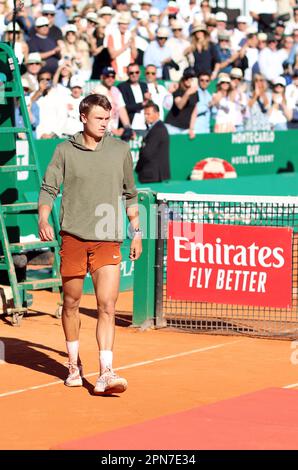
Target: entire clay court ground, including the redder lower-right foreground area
{"x":186,"y":391}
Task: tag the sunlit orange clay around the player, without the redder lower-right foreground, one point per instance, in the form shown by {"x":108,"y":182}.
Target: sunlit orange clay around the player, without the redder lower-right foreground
{"x":48,"y":417}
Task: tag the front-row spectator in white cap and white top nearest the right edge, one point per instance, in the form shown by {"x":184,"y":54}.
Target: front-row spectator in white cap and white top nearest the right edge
{"x":279,"y":112}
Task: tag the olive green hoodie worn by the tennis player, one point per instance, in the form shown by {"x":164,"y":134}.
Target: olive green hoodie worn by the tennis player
{"x":94,"y":184}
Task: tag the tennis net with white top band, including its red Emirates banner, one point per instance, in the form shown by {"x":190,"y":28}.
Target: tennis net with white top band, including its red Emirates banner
{"x":194,"y":305}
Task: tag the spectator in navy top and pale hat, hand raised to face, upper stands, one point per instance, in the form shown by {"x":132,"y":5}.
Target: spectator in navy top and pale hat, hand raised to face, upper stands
{"x":204,"y":54}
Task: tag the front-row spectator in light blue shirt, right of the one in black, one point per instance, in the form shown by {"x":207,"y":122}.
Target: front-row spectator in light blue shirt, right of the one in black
{"x":202,"y":124}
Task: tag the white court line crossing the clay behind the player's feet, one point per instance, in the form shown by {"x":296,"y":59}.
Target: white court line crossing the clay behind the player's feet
{"x":129,"y":366}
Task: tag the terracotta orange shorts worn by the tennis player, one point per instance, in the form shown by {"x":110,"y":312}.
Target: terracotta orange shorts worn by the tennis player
{"x":79,"y":256}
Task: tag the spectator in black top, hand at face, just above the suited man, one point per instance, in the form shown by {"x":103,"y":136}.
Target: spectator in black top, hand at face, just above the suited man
{"x":182,"y":116}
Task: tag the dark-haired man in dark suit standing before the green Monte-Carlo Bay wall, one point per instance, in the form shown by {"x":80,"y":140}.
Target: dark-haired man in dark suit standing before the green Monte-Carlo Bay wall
{"x":153,"y":164}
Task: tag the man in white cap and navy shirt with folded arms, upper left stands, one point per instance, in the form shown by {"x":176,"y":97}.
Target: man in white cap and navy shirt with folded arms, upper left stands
{"x":46,"y":46}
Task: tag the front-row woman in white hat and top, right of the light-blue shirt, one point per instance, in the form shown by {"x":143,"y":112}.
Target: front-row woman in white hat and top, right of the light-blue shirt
{"x":223,"y":105}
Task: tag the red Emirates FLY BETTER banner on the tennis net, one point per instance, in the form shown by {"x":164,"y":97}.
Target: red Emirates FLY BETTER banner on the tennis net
{"x":230,"y":264}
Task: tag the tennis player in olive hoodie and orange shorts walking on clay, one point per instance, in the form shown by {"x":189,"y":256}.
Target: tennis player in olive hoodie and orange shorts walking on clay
{"x":96,"y":172}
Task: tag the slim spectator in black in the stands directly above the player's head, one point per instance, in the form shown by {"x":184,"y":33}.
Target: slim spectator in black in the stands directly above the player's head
{"x":101,"y":55}
